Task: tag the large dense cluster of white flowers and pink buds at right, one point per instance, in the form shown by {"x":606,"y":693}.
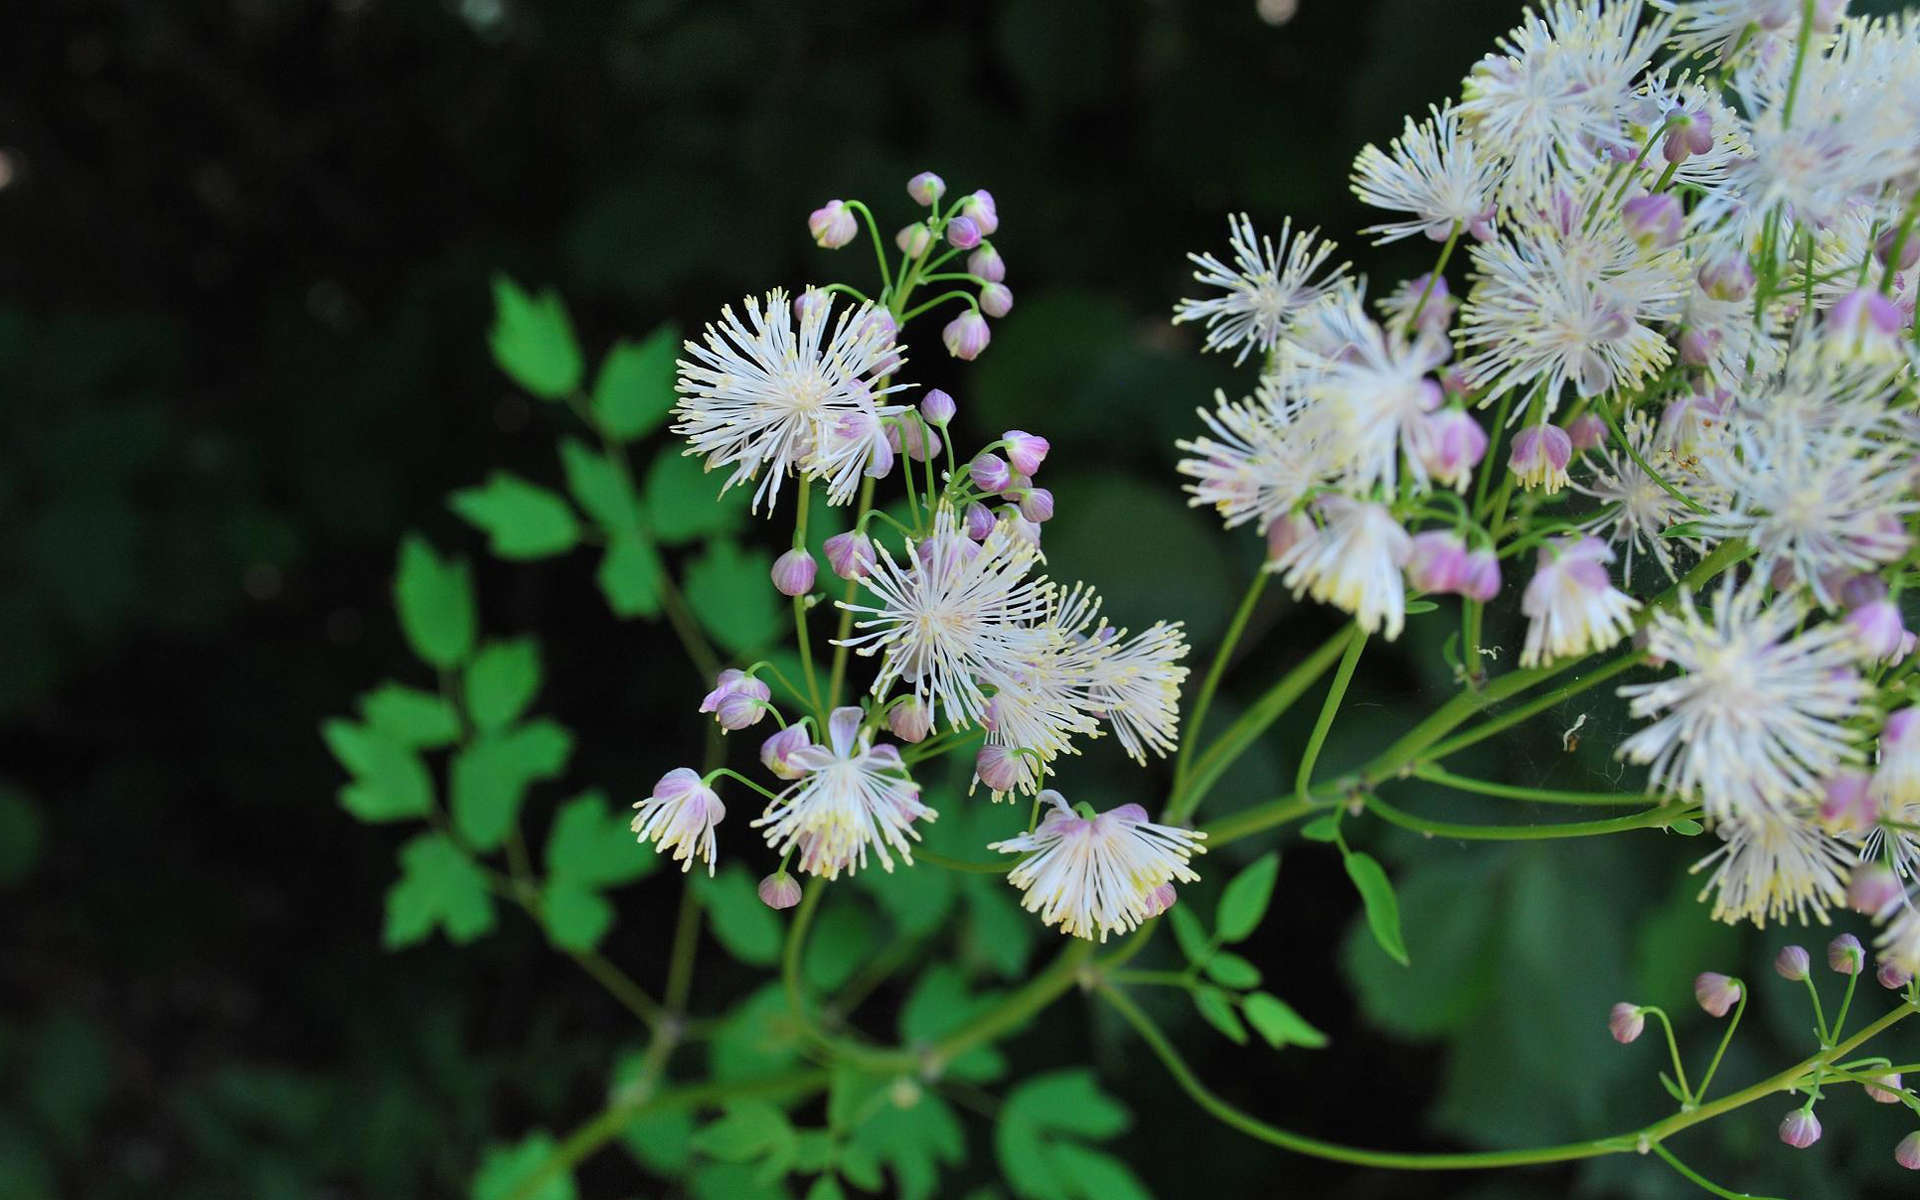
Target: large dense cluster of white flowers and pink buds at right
{"x":1692,"y":258}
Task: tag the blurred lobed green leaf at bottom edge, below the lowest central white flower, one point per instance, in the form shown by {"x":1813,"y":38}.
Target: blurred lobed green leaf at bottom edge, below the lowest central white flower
{"x":1038,"y":1120}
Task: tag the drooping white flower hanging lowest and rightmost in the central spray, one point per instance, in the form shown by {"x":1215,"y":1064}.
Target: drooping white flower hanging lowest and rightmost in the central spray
{"x":1099,"y":875}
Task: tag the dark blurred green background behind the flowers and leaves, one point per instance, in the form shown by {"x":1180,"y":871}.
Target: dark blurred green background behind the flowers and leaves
{"x":245,"y":258}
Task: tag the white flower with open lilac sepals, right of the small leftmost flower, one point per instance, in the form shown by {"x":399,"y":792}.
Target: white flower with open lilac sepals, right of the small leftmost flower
{"x":855,"y":798}
